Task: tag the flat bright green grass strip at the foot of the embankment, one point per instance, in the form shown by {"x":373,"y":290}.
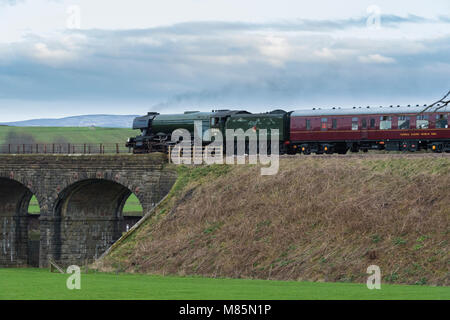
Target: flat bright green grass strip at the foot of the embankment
{"x":41,"y":284}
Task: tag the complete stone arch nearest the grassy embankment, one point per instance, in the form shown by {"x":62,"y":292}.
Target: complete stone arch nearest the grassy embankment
{"x":87,"y":219}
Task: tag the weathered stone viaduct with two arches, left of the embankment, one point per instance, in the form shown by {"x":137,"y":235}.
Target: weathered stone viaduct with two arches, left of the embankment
{"x":81,"y":198}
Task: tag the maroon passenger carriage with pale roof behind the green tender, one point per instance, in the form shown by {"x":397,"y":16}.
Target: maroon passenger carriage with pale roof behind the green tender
{"x":392,"y":128}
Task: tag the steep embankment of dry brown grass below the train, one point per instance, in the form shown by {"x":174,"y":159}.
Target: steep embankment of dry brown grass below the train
{"x":318,"y":219}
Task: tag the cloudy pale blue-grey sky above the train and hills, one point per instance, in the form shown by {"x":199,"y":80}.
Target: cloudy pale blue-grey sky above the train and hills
{"x":61,"y":58}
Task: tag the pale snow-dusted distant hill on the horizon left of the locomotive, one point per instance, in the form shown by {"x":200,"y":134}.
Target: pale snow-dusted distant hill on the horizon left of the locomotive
{"x":94,"y":120}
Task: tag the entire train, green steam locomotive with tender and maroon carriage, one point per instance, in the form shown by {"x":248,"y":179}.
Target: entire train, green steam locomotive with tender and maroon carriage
{"x":317,"y":130}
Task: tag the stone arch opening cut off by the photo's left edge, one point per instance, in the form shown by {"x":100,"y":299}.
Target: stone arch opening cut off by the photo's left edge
{"x":15,"y":197}
